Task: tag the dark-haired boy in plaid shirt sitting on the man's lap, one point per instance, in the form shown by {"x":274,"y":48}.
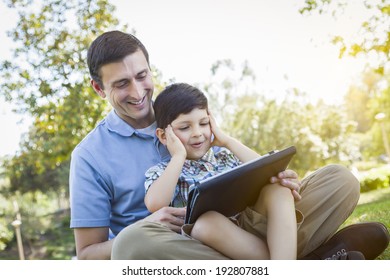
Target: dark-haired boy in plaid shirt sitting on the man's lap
{"x":185,"y":126}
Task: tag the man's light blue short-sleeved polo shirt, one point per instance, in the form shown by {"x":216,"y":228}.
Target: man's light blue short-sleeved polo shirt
{"x":107,"y":175}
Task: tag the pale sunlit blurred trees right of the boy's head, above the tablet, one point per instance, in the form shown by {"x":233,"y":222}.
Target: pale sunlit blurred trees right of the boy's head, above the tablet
{"x":320,"y":132}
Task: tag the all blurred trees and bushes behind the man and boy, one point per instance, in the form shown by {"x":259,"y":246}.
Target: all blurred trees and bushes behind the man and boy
{"x":48,"y":81}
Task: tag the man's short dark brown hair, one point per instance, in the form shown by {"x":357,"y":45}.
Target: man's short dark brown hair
{"x":111,"y":46}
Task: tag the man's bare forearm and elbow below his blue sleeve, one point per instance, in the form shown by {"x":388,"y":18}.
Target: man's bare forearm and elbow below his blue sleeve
{"x":92,"y":243}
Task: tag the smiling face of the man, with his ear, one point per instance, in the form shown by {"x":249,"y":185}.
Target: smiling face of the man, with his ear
{"x":128,"y":86}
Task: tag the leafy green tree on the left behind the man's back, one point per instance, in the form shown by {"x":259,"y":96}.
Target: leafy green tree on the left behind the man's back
{"x":48,"y":80}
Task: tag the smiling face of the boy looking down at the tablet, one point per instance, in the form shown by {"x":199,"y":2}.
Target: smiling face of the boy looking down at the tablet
{"x":194,"y":131}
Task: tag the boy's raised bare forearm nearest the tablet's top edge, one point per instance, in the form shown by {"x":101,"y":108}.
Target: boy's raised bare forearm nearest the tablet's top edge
{"x":242,"y":152}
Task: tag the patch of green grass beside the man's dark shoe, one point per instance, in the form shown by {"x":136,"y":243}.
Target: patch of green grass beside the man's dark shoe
{"x":373,"y":206}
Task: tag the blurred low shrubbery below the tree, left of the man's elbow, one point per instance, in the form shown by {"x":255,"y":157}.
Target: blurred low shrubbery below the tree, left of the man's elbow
{"x":45,"y":228}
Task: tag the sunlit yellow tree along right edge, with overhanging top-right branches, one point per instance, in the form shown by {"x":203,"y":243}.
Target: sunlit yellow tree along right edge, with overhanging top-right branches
{"x":371,"y":97}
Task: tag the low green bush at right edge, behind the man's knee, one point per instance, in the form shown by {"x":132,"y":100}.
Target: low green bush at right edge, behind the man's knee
{"x":376,"y":178}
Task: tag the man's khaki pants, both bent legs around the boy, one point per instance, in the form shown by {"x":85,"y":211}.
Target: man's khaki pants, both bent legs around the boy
{"x":329,"y":196}
